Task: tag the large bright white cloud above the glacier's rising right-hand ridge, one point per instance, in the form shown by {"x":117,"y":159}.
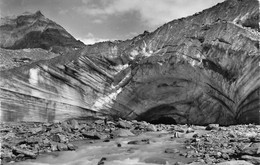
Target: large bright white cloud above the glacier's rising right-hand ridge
{"x":153,"y":12}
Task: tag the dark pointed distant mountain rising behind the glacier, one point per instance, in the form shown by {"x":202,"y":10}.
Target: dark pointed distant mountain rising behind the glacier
{"x":34,"y":30}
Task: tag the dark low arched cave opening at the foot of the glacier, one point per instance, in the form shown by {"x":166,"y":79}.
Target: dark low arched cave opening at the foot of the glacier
{"x":162,"y":114}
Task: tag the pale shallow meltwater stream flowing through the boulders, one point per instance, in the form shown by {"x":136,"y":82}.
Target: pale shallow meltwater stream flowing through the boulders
{"x":114,"y":154}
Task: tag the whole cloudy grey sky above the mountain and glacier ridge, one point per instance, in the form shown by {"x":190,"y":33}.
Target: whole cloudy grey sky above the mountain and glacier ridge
{"x":99,"y":20}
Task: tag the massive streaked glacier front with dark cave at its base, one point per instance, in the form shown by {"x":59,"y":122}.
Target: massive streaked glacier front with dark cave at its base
{"x":198,"y":70}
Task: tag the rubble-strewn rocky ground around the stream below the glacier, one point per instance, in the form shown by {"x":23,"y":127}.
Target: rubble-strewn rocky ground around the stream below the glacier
{"x":213,"y":144}
